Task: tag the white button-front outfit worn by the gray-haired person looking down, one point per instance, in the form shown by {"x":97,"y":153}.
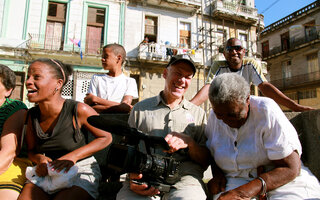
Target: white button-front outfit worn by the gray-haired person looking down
{"x":266,"y":135}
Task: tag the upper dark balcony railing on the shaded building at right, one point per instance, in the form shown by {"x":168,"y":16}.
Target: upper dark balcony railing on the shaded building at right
{"x":294,"y":43}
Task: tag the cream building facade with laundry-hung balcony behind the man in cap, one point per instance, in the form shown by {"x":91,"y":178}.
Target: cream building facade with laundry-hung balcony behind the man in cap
{"x":157,"y":29}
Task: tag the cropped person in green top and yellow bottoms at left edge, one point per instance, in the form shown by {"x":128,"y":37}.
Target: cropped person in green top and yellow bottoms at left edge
{"x":12,"y":114}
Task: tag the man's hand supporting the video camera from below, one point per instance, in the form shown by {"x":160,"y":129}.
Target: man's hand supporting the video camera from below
{"x":141,"y":189}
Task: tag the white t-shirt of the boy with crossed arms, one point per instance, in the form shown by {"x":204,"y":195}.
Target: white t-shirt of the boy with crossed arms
{"x":113,"y":88}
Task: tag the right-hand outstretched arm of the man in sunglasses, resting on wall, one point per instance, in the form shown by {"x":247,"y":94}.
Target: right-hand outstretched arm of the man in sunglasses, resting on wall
{"x":271,"y":91}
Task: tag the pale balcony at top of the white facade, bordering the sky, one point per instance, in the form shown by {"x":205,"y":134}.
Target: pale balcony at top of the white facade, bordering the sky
{"x":233,"y":8}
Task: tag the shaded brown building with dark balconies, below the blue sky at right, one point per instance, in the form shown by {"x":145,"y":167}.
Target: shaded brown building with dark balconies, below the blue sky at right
{"x":290,"y":47}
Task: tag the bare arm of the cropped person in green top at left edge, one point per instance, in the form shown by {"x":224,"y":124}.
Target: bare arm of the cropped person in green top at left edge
{"x":10,"y":139}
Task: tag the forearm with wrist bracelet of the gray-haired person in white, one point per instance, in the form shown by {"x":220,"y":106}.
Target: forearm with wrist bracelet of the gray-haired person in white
{"x":286,"y":170}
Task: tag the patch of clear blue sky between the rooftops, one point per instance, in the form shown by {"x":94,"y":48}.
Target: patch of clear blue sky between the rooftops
{"x":273,"y":10}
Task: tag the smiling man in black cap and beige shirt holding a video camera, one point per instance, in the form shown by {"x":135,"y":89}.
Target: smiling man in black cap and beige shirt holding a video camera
{"x":182,"y":125}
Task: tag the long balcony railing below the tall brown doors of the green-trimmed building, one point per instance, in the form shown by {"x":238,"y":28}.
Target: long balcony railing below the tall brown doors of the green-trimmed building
{"x":41,"y":42}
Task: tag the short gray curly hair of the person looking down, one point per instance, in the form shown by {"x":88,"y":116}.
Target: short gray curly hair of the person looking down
{"x":228,"y":87}
